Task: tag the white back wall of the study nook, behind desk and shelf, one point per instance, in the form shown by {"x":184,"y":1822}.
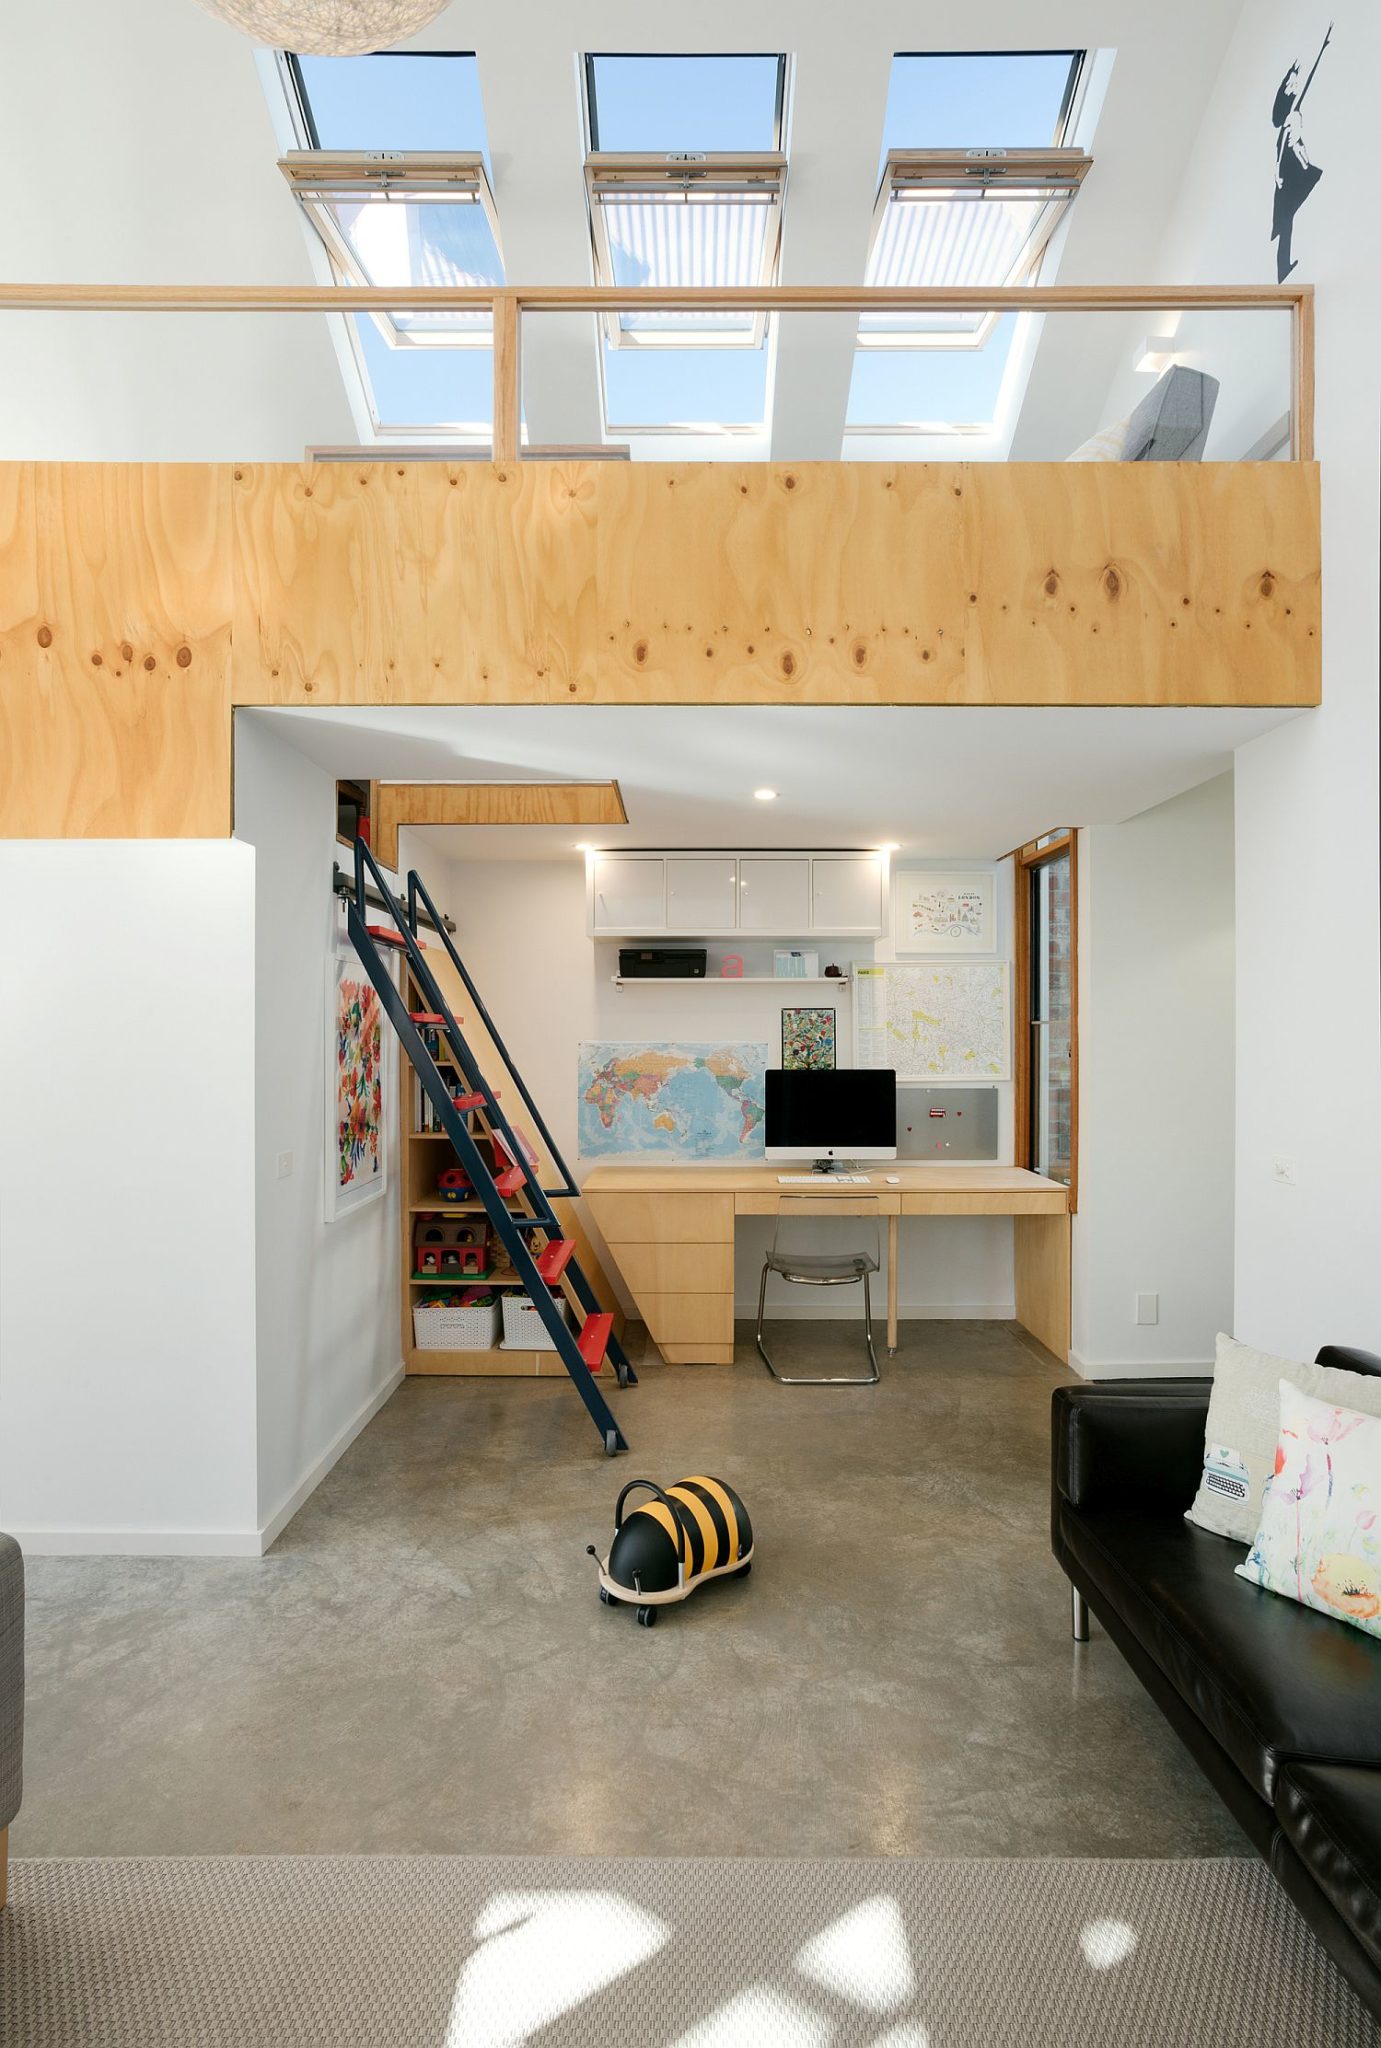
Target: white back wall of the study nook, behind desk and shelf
{"x":524,"y":937}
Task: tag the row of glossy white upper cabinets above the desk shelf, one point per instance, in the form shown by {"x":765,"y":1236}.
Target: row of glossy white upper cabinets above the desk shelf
{"x":737,"y":896}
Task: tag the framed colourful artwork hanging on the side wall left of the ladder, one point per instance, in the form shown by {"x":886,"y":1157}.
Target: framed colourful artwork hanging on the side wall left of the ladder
{"x":355,"y":1089}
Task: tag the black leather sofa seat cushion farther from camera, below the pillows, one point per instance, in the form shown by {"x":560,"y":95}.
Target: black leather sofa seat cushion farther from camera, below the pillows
{"x":1267,"y":1678}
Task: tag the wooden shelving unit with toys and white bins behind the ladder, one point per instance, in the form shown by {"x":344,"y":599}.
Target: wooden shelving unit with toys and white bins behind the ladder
{"x":423,"y":1158}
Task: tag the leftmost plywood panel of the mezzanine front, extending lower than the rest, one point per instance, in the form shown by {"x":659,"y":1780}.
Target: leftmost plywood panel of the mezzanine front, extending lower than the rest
{"x":114,"y":650}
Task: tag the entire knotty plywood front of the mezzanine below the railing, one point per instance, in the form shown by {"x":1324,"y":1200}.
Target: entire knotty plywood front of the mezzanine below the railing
{"x":142,"y":603}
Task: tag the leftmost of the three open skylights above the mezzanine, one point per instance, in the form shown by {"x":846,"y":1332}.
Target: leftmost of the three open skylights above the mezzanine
{"x":394,"y":179}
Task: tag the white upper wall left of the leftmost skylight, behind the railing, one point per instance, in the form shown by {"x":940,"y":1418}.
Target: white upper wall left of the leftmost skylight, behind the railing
{"x":136,"y":148}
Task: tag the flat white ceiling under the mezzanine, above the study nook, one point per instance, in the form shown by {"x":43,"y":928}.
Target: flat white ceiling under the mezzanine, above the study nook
{"x":935,"y":779}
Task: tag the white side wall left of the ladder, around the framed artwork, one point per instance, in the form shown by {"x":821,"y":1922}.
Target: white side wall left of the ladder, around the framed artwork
{"x":329,"y":1322}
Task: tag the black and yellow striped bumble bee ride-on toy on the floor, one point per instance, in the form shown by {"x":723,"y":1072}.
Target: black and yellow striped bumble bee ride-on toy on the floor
{"x":673,"y":1543}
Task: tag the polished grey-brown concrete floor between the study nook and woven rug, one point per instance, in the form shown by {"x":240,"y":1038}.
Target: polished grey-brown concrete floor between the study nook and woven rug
{"x":423,"y":1662}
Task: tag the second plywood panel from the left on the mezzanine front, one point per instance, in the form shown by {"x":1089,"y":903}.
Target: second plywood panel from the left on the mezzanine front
{"x":415,"y":583}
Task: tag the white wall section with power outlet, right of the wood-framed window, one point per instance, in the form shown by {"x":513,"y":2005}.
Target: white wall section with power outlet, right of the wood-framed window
{"x":1157,"y":1086}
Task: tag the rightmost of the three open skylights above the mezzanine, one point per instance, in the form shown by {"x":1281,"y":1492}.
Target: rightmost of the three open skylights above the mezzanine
{"x":976,"y":175}
